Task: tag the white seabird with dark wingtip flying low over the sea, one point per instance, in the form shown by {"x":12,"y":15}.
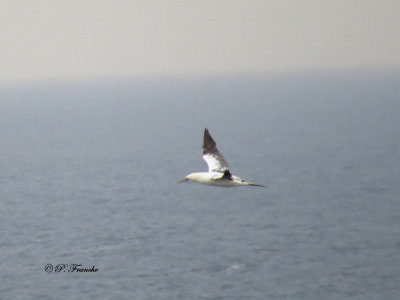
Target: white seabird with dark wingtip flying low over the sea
{"x":218,"y":172}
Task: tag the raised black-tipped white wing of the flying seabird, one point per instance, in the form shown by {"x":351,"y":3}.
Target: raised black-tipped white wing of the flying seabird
{"x":214,"y":159}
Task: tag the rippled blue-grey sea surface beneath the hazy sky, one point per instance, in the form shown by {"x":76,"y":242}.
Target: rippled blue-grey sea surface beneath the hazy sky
{"x":89,"y":172}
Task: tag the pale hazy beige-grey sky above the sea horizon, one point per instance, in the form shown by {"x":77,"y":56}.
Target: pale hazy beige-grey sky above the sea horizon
{"x":95,"y":38}
